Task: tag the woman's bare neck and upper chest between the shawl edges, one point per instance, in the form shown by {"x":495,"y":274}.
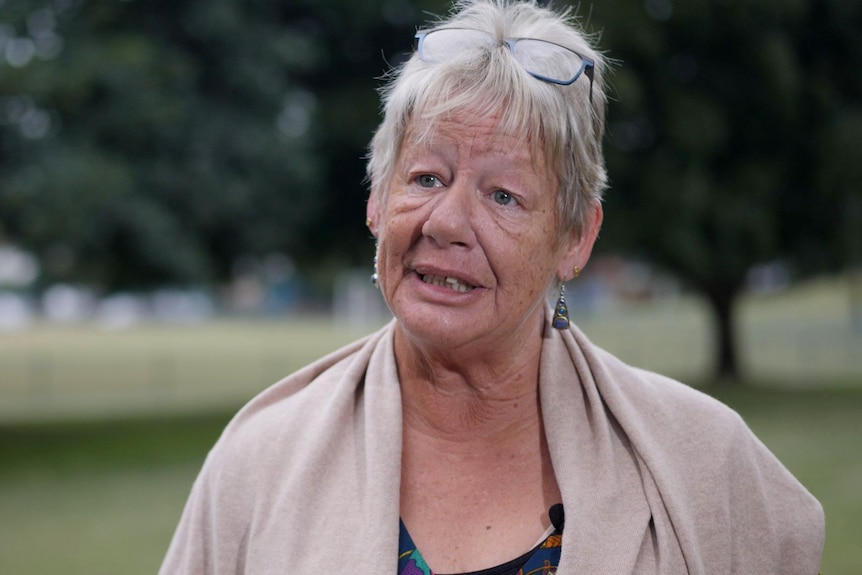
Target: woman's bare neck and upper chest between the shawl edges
{"x":476,"y":472}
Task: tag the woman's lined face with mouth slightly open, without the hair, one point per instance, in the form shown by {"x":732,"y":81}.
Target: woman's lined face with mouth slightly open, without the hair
{"x":467,"y":235}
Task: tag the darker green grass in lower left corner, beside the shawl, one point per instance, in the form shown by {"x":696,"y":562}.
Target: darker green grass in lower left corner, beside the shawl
{"x":96,"y":498}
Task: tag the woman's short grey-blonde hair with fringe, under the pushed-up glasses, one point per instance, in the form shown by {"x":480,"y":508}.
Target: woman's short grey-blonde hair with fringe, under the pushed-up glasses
{"x":566,"y":121}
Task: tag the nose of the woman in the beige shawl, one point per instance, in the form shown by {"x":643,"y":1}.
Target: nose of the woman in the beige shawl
{"x":450,"y":219}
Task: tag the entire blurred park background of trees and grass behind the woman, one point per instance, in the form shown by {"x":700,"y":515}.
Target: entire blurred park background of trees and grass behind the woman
{"x":181,"y":224}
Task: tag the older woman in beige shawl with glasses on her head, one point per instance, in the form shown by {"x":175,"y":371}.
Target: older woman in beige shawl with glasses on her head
{"x":440,"y":443}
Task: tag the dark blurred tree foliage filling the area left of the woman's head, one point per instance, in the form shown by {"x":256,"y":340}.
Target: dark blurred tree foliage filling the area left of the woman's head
{"x":150,"y":142}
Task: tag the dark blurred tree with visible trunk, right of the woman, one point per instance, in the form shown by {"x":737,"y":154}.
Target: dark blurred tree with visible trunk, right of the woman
{"x":732,"y":139}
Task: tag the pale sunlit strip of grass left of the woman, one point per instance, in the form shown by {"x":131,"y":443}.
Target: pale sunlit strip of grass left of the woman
{"x":63,"y":371}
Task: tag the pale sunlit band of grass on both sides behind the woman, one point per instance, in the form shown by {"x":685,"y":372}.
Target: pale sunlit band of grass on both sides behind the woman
{"x":55,"y":371}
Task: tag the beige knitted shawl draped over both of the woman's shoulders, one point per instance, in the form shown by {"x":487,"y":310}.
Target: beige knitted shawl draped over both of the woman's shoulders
{"x":655,"y":476}
